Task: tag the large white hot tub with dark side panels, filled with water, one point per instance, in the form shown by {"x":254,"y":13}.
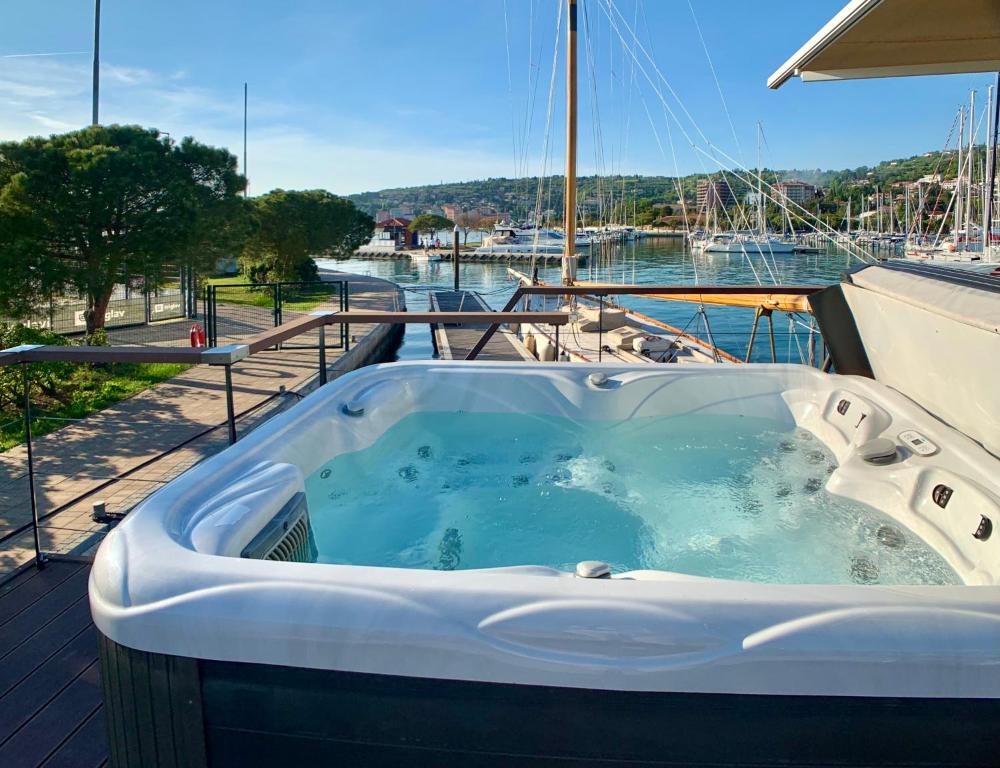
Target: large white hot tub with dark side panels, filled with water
{"x":368,"y":663}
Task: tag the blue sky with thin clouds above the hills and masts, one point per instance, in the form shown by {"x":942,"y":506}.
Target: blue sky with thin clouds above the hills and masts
{"x":353,"y":95}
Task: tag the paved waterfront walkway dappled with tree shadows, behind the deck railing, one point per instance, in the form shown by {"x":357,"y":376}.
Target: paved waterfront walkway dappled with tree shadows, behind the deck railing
{"x":124,"y":453}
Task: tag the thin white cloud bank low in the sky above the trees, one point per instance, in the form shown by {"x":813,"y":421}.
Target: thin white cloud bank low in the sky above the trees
{"x":347,"y":156}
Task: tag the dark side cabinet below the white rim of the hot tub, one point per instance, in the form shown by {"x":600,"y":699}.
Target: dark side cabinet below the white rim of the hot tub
{"x":173,"y":711}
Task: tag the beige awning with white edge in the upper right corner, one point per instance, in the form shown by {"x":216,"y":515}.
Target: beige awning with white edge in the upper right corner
{"x":895,"y":38}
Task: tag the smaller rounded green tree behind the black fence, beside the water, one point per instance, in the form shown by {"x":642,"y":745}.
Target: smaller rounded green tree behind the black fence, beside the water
{"x":293,"y":227}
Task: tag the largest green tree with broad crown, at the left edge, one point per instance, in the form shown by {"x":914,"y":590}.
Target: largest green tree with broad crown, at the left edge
{"x":80,"y":210}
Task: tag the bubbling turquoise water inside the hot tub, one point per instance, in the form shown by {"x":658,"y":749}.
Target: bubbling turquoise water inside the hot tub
{"x":718,"y":496}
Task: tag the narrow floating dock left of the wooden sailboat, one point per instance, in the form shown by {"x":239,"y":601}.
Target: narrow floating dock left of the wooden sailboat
{"x":454,"y":341}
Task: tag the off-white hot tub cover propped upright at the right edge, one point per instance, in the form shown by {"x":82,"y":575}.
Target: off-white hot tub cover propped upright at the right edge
{"x":933,"y":334}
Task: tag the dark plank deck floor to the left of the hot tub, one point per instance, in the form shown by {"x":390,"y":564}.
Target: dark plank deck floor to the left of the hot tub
{"x":50,"y":690}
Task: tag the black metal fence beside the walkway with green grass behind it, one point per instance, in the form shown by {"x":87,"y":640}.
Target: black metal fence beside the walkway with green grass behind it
{"x":234,"y":311}
